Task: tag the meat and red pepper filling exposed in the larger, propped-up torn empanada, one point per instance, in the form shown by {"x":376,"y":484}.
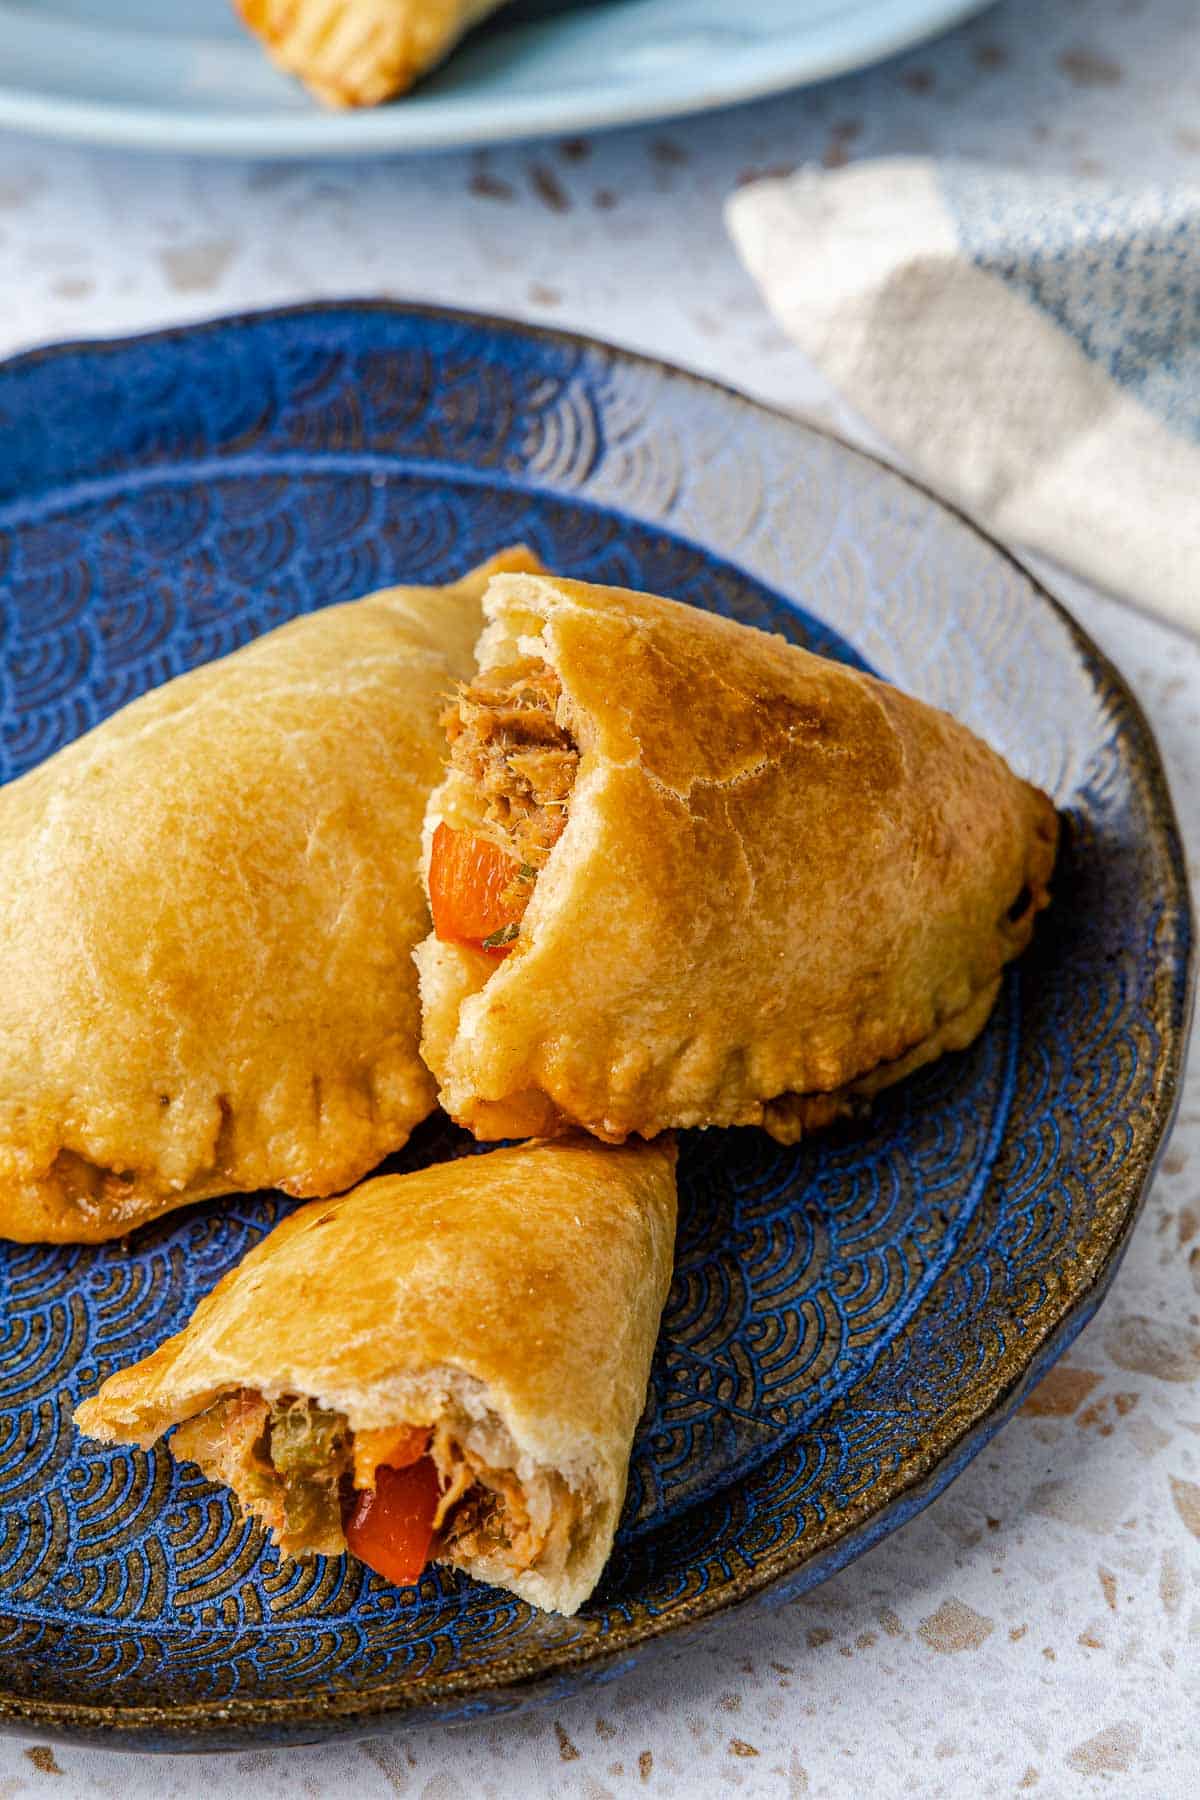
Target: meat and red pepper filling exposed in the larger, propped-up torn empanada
{"x":517,"y":764}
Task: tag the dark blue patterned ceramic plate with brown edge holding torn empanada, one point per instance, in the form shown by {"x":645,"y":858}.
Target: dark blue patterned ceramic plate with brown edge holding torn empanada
{"x":852,"y":1318}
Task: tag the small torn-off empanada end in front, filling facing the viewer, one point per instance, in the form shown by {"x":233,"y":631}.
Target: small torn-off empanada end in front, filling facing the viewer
{"x":461,"y":1351}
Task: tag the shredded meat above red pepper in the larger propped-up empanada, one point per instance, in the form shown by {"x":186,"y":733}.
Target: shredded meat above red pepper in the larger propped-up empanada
{"x":510,"y":739}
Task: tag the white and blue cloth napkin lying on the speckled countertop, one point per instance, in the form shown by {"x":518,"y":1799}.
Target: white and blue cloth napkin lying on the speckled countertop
{"x":1028,"y":343}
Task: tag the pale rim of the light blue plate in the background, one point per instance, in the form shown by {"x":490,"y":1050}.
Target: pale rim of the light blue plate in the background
{"x":456,"y":123}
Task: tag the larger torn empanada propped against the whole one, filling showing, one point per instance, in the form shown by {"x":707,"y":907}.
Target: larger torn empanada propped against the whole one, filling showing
{"x":688,"y":874}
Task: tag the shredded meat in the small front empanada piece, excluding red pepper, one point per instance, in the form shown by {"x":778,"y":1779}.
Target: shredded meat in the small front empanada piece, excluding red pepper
{"x":292,"y":1464}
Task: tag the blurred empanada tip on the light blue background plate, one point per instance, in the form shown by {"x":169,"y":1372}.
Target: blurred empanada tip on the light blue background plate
{"x":361,"y":53}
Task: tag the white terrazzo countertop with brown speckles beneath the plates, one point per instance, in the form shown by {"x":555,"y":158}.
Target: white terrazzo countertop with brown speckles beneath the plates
{"x":1039,"y":1628}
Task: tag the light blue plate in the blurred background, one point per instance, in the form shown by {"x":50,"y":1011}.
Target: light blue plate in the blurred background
{"x":188,"y":78}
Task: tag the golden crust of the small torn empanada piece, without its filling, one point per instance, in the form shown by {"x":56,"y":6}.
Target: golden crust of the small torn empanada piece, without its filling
{"x":521,"y":1290}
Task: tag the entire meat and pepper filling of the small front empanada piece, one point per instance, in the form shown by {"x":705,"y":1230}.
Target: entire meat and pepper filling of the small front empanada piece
{"x":395,"y":1498}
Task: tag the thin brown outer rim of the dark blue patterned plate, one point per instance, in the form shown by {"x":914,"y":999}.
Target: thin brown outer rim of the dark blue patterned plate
{"x":566,"y":1669}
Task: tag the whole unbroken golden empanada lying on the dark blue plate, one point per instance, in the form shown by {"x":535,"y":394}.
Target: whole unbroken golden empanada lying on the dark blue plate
{"x":208,"y":915}
